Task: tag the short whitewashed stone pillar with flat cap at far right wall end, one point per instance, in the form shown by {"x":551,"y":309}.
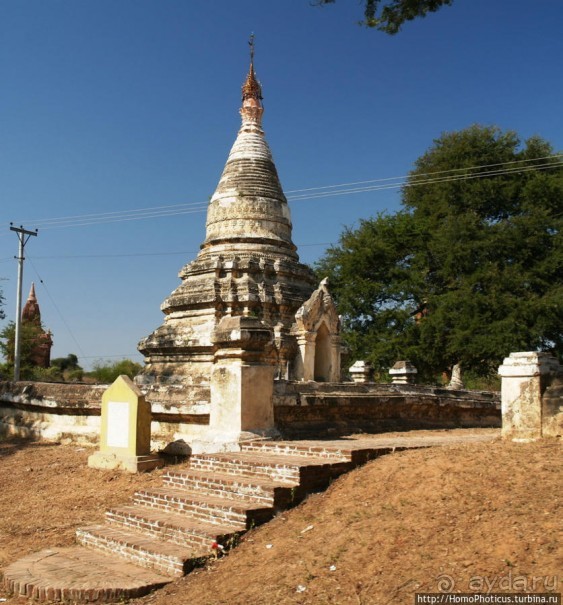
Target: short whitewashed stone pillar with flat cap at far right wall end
{"x":525,"y":377}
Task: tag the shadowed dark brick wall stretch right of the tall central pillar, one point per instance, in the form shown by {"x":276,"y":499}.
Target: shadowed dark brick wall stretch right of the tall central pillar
{"x":317,"y":409}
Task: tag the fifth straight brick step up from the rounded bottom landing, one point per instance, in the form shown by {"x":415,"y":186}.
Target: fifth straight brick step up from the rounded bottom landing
{"x":309,"y":472}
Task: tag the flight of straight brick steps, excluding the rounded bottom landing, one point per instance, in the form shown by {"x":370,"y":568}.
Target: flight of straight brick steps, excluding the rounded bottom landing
{"x":216,"y":499}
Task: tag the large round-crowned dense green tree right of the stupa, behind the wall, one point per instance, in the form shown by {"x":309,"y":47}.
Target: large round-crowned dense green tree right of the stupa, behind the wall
{"x":469,"y":270}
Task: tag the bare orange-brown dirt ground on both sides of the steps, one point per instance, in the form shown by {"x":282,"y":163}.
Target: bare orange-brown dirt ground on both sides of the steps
{"x":463,"y":518}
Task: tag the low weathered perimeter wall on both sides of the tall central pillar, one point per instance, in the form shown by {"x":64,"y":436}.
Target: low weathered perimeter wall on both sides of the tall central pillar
{"x":71,"y":412}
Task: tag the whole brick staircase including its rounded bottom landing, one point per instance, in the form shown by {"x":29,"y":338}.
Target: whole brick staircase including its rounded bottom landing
{"x":167,"y":531}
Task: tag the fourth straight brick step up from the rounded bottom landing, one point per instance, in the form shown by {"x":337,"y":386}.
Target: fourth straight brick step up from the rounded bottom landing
{"x":260,"y":490}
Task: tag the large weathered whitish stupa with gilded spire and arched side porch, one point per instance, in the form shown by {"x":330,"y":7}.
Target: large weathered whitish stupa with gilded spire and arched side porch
{"x":247,"y":267}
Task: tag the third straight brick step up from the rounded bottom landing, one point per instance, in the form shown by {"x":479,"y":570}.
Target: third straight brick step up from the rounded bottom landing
{"x":238,"y":514}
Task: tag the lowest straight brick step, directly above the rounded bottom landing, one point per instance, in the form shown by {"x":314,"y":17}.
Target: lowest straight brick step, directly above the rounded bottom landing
{"x":144,"y":551}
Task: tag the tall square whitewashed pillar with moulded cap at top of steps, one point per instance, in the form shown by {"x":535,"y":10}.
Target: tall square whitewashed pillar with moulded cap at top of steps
{"x":242,"y":381}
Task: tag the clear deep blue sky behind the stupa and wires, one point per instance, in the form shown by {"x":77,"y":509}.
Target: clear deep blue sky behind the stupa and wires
{"x":118,"y":105}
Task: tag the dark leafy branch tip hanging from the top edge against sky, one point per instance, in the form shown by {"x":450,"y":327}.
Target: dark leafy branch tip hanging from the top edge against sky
{"x":390,"y":15}
